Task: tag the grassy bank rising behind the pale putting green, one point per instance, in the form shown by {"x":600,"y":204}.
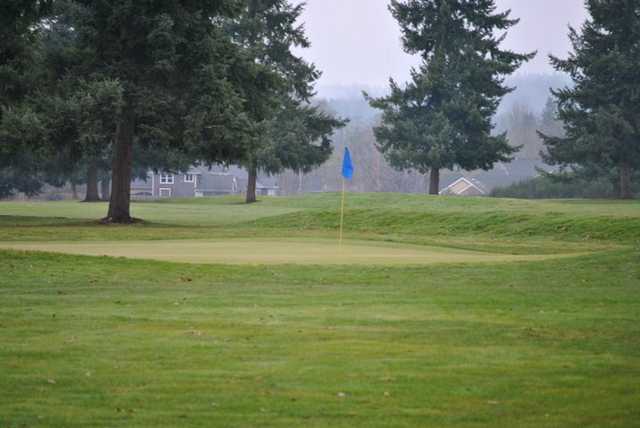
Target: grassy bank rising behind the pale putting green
{"x":367,"y":214}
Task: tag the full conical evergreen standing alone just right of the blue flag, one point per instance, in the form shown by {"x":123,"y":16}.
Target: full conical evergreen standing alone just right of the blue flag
{"x":442,"y":117}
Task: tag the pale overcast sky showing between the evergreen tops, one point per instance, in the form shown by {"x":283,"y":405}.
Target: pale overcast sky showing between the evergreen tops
{"x":358,"y":42}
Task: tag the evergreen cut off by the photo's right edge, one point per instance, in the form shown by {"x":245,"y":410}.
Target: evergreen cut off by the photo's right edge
{"x":600,"y":111}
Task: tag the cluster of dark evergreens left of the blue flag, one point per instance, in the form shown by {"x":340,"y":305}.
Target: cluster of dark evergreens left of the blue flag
{"x":92,"y":89}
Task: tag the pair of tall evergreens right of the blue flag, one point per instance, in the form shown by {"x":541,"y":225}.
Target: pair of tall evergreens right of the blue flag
{"x":442,"y":118}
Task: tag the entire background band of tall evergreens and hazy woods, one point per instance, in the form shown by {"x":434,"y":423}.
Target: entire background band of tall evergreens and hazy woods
{"x":91,"y":90}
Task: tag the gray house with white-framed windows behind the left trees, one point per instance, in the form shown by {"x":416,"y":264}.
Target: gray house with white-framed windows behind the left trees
{"x":199,"y":182}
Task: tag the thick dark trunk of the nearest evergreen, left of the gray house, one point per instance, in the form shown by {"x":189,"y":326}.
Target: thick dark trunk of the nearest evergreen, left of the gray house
{"x":121,"y":171}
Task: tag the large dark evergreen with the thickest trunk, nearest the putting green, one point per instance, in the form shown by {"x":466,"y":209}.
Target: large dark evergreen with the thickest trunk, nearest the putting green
{"x":170,"y":59}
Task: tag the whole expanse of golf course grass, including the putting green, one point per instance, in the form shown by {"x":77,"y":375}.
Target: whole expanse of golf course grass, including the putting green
{"x":527,"y":315}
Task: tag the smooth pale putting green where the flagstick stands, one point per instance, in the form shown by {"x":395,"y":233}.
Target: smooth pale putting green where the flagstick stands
{"x":272,"y":251}
